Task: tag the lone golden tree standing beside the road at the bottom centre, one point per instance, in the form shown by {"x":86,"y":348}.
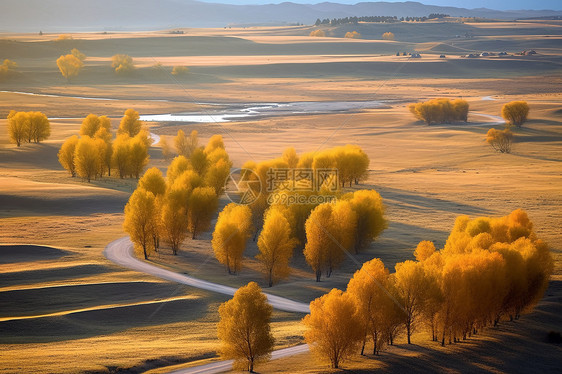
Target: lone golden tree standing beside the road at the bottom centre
{"x":244,"y":328}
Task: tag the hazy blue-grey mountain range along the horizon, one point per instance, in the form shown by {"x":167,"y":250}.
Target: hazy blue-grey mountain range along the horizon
{"x":89,"y":15}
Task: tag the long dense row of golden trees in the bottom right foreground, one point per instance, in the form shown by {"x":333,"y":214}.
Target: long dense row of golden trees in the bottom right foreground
{"x":489,"y":269}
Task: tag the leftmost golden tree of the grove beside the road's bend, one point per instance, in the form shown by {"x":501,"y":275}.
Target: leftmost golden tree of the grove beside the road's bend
{"x":140,"y":213}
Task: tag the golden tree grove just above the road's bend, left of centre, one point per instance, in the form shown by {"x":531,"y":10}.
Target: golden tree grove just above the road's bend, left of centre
{"x":183,"y":202}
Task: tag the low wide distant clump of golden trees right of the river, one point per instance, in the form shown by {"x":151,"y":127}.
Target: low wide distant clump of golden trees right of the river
{"x":440,"y":110}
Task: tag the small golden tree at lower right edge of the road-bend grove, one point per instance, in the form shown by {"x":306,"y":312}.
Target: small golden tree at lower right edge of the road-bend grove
{"x":203,"y":203}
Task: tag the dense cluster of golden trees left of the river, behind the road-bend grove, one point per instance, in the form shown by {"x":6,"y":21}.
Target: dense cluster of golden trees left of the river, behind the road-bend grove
{"x":95,"y":152}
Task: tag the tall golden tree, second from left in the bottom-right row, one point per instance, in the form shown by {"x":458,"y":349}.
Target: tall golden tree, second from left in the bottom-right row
{"x":368,"y":288}
